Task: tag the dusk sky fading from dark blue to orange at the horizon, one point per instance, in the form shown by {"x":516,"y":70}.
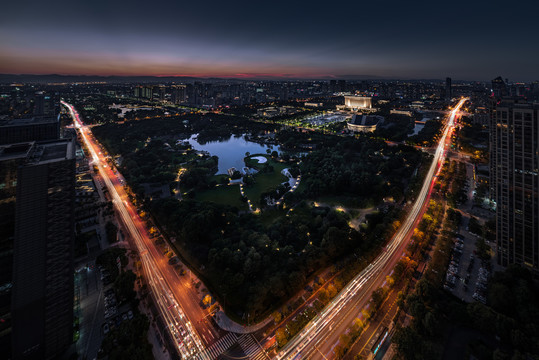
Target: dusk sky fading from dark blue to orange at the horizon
{"x":469,"y":40}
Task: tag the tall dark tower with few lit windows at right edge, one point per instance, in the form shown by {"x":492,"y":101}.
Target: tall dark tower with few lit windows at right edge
{"x":515,"y":181}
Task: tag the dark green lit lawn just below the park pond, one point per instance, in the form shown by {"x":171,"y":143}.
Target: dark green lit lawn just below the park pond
{"x":265,"y":181}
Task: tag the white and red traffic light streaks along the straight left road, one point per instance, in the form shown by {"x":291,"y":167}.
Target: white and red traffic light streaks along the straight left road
{"x":182,"y":332}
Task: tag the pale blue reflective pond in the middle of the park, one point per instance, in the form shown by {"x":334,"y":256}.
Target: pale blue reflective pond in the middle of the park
{"x":231,"y":152}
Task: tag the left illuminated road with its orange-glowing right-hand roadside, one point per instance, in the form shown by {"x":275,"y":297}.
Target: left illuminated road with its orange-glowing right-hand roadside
{"x":159,"y":274}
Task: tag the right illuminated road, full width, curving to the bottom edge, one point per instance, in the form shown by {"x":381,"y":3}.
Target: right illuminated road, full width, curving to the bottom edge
{"x":320,"y":336}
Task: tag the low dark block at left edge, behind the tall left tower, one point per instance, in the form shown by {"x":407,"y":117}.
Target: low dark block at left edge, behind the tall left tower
{"x":36,"y":128}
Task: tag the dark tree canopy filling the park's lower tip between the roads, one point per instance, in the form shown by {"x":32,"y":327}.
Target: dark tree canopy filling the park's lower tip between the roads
{"x":256,"y":265}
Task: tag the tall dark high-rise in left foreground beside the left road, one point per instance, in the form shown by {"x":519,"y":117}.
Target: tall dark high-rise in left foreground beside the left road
{"x":42,"y":299}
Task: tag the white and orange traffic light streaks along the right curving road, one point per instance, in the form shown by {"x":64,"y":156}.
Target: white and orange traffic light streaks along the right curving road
{"x":321,"y":326}
